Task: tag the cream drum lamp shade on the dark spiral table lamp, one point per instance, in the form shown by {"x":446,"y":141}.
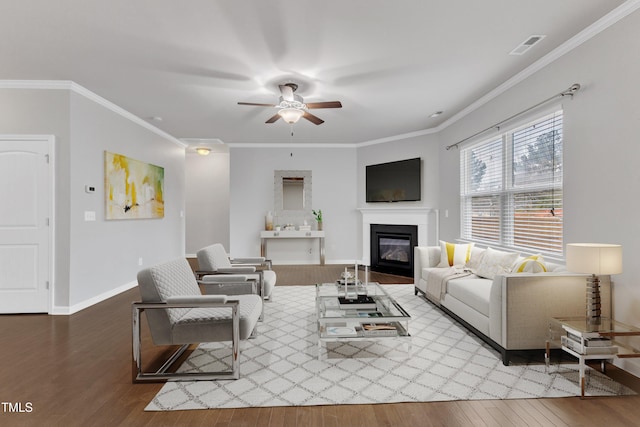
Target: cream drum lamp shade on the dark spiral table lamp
{"x":594,"y":258}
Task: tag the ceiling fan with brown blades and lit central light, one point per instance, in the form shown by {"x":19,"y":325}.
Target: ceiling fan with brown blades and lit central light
{"x":292,"y":106}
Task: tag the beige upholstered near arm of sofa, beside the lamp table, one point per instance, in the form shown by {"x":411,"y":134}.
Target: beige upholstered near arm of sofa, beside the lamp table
{"x":522,"y":304}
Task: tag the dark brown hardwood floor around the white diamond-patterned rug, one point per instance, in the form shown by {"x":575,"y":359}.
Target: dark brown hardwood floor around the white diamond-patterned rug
{"x":76,"y":371}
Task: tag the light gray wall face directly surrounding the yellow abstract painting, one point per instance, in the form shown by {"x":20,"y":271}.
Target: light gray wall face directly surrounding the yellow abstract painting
{"x":105,"y":254}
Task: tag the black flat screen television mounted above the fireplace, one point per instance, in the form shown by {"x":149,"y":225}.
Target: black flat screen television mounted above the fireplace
{"x":394,"y":181}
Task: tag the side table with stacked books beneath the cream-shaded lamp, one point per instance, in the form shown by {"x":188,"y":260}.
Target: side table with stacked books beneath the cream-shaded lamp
{"x":575,"y":333}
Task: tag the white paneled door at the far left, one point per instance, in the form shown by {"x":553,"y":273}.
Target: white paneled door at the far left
{"x":25,"y":210}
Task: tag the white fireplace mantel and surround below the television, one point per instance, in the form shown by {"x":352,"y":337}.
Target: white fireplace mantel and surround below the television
{"x":425,"y":218}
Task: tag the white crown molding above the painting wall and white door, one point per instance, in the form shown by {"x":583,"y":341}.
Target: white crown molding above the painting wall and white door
{"x":80,"y":90}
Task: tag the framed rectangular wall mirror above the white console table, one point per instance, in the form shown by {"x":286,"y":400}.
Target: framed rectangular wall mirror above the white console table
{"x":292,"y":191}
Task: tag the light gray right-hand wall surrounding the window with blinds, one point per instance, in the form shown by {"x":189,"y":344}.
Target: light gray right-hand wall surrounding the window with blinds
{"x":601,"y":149}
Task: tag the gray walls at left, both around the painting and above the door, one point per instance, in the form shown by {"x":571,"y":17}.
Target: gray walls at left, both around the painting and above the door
{"x":94,"y":260}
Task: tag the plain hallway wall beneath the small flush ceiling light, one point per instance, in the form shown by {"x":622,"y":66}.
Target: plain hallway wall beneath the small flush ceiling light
{"x":207,"y":199}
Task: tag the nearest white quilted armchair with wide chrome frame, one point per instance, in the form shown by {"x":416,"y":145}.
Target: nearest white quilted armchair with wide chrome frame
{"x":178,"y":314}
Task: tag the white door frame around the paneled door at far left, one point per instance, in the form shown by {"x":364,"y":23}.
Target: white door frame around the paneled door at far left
{"x":50,"y":140}
